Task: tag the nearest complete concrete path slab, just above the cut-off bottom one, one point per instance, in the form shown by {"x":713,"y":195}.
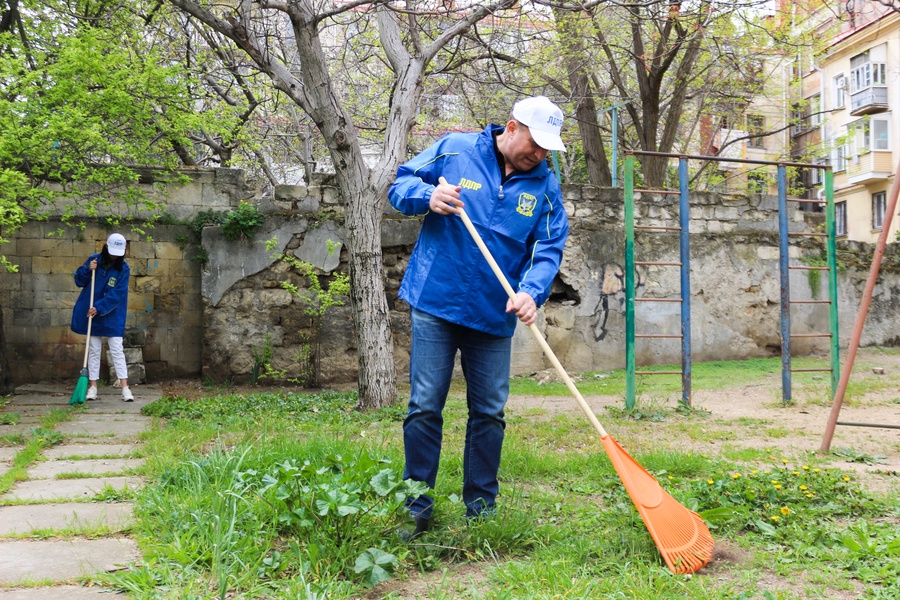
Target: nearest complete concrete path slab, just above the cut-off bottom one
{"x":61,"y":560}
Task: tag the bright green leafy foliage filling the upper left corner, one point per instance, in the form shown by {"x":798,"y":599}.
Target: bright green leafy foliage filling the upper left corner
{"x":87,"y":96}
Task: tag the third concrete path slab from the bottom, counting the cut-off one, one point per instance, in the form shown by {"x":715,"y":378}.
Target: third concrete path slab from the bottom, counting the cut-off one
{"x":23,"y":519}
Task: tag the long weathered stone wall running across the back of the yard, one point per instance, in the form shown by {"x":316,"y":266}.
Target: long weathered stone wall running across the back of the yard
{"x":220,"y":317}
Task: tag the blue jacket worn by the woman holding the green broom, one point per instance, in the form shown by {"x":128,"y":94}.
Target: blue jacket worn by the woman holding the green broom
{"x":110,"y":299}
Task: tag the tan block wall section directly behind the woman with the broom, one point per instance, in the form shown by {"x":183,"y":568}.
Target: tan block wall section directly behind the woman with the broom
{"x":164,"y":326}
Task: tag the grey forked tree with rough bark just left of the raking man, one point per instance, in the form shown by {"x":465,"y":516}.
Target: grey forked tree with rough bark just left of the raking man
{"x":408,"y":45}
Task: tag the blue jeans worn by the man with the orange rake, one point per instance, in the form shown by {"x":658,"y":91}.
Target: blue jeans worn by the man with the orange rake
{"x":485,"y":362}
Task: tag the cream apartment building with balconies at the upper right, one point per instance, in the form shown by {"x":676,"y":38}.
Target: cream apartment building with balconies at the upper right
{"x":843,"y":112}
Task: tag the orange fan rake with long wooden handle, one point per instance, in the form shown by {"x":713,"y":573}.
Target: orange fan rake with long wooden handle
{"x":680,"y":534}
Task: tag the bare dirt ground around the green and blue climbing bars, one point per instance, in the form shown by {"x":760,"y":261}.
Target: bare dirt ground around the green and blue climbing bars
{"x":754,"y":416}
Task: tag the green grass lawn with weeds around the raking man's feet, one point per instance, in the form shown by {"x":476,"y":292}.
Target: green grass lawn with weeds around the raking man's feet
{"x":275,"y":494}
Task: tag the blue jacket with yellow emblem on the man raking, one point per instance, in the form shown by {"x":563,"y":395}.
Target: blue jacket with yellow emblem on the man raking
{"x":525,"y":230}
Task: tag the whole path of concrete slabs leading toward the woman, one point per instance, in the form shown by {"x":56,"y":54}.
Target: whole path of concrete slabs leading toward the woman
{"x":52,"y":537}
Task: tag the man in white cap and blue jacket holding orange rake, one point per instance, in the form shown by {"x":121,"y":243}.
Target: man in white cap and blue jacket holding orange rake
{"x":502,"y":178}
